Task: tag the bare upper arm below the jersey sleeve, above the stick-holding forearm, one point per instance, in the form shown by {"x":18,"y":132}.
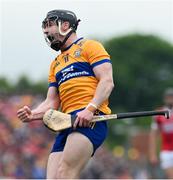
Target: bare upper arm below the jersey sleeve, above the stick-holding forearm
{"x":104,"y":71}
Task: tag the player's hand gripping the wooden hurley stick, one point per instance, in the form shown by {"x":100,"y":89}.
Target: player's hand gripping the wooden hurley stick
{"x":83,"y":119}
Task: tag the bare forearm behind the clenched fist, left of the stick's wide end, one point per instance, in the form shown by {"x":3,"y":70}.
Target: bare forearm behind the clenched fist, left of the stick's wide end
{"x":38,"y":113}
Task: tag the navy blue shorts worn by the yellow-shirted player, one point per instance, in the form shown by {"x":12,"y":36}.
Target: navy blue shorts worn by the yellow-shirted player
{"x":96,"y":135}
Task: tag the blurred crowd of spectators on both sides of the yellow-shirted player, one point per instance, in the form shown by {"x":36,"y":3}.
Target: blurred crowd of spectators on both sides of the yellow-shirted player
{"x":24,"y":148}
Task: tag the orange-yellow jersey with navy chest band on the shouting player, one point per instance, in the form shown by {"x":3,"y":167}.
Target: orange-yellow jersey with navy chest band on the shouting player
{"x":72,"y":73}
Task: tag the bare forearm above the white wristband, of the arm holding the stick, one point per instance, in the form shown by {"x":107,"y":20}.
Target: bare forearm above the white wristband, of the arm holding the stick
{"x":103,"y":91}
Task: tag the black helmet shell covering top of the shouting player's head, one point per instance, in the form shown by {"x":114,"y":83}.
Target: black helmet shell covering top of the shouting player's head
{"x":62,"y":15}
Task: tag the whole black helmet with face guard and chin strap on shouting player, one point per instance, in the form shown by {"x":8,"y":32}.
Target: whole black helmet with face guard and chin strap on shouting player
{"x":57,"y":17}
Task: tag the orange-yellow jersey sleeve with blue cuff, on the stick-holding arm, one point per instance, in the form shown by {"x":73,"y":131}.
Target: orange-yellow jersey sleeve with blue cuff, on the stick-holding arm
{"x":95,"y":53}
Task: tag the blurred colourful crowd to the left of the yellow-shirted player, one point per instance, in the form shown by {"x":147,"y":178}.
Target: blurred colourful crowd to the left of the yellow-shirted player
{"x":24,"y":147}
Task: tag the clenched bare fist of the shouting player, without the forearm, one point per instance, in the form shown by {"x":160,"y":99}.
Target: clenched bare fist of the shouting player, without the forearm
{"x":24,"y":114}
